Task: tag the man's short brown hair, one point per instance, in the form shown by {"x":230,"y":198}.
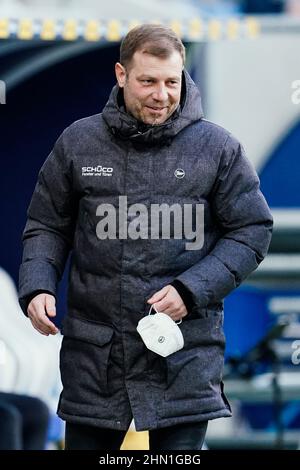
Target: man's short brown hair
{"x":157,"y":40}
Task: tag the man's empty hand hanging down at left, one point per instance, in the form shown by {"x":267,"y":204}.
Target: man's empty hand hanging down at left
{"x":39,"y":309}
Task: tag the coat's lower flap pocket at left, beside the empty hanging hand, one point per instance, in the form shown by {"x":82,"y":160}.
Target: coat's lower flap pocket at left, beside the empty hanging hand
{"x":84,"y":359}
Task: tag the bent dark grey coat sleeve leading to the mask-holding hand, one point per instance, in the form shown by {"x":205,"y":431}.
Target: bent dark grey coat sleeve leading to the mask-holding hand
{"x":241,"y":211}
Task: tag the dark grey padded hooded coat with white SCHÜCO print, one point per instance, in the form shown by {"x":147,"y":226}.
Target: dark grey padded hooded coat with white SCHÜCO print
{"x":108,"y":375}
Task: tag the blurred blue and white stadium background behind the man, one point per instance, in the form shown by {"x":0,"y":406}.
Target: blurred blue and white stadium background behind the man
{"x":57,"y":65}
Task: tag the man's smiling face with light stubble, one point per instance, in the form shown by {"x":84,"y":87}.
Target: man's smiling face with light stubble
{"x":151,"y":86}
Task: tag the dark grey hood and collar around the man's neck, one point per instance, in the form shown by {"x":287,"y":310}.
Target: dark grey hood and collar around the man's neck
{"x":127,"y":127}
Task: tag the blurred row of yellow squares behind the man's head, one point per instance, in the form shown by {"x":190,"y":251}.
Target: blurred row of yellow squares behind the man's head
{"x":195,"y":29}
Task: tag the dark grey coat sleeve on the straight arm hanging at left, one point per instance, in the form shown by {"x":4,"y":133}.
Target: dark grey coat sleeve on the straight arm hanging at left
{"x":48,"y":234}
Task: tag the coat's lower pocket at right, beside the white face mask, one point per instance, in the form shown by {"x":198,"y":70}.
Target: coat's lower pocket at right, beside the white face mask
{"x":196,"y":370}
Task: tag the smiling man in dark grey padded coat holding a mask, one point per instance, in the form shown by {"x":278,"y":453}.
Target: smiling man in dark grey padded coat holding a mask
{"x":152,"y":146}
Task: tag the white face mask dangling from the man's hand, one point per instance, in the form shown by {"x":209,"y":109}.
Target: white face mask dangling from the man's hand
{"x":160,"y":333}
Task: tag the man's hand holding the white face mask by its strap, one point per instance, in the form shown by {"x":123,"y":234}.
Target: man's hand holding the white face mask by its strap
{"x":167,"y":300}
